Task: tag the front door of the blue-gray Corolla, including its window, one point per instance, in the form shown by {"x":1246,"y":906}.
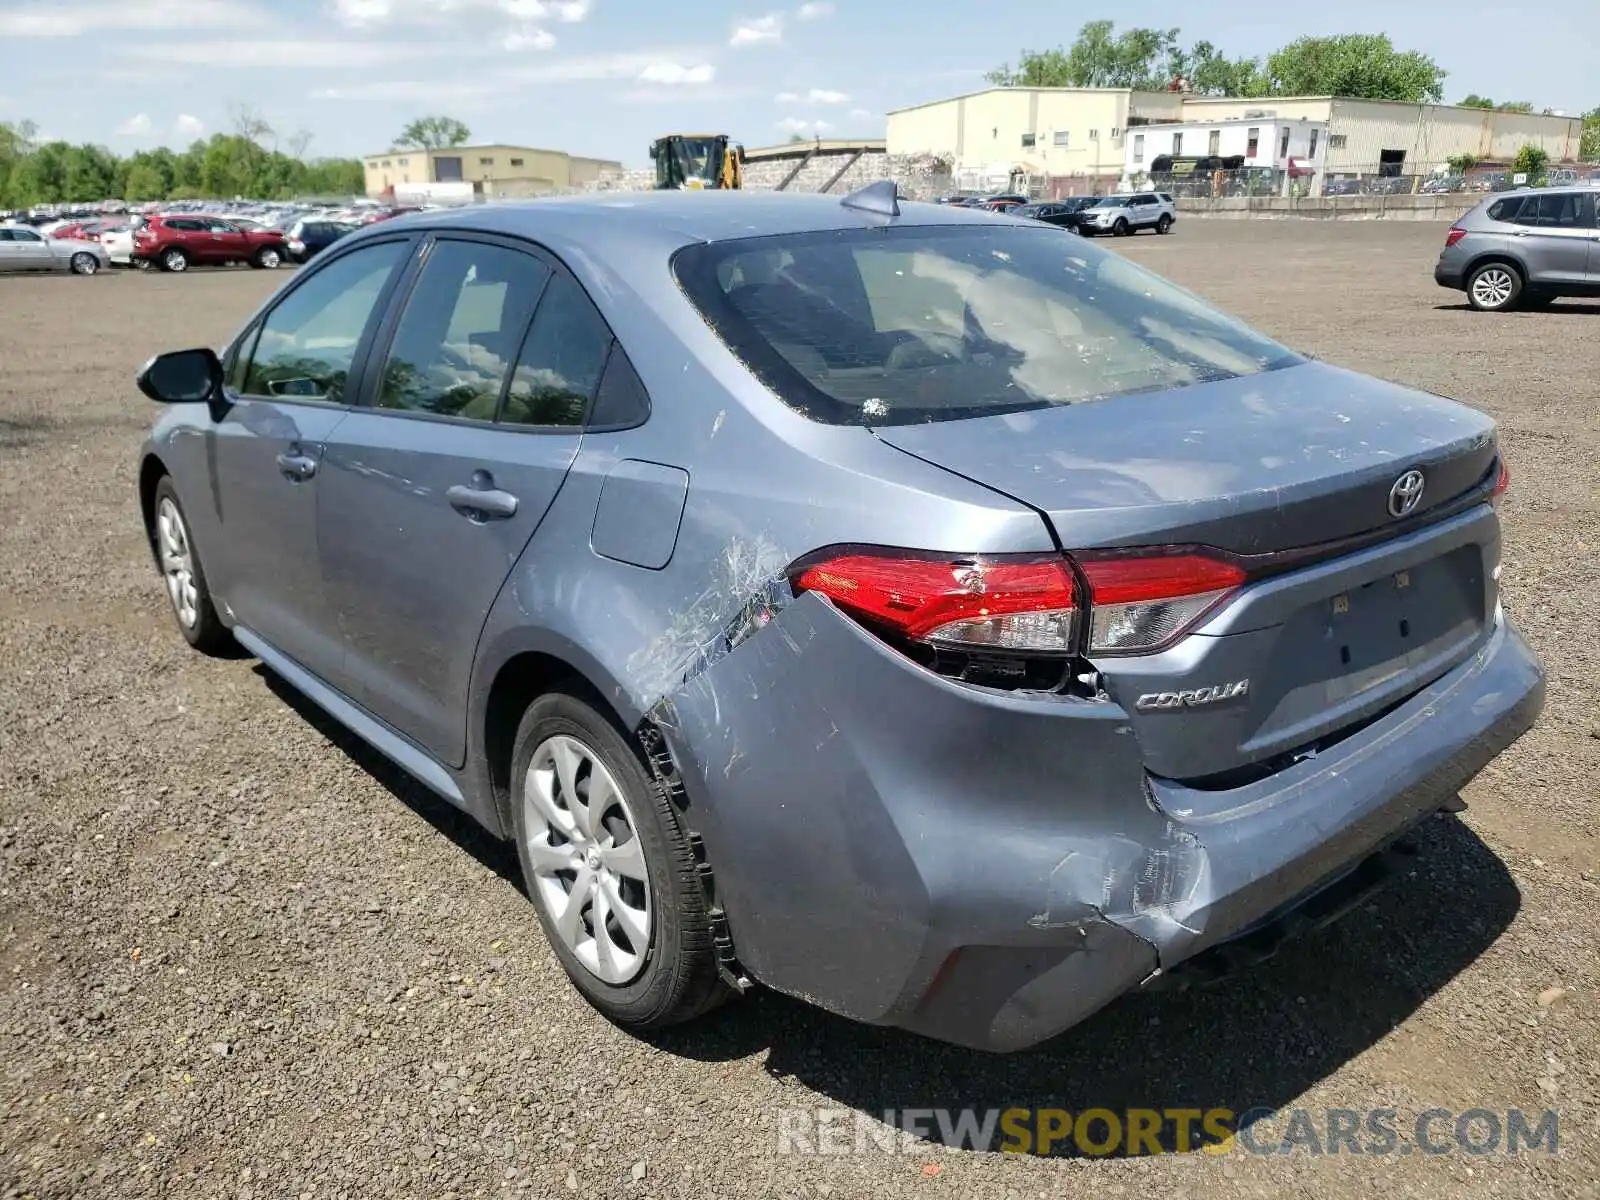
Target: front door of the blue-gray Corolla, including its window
{"x":286,"y":394}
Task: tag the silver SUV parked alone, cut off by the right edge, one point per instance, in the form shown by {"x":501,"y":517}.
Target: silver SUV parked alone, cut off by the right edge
{"x":1526,"y":249}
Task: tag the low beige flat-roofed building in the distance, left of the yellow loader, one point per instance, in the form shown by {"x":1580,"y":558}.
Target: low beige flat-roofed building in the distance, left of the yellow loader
{"x":495,"y":172}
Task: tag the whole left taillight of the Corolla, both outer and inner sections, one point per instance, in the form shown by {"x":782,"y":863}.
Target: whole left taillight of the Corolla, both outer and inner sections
{"x":1140,"y":602}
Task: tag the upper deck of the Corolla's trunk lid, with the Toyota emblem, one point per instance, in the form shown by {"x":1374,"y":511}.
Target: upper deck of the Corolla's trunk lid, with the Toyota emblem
{"x":1274,"y":462}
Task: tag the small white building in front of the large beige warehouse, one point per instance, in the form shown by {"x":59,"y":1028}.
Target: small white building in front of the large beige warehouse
{"x":1290,"y":148}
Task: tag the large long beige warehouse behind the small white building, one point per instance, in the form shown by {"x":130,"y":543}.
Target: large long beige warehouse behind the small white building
{"x":1079,"y":134}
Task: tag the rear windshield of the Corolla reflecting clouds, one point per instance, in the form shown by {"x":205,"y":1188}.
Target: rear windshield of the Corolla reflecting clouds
{"x":937,"y":324}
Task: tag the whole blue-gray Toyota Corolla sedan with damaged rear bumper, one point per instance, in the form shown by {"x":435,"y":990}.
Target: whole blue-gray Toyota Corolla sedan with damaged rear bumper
{"x":902,"y":607}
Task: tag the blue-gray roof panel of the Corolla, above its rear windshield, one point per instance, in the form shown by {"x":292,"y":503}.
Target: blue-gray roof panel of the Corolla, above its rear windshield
{"x":678,"y":217}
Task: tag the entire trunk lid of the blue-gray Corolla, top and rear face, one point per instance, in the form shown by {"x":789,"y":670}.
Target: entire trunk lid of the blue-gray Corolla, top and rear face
{"x":1282,"y":462}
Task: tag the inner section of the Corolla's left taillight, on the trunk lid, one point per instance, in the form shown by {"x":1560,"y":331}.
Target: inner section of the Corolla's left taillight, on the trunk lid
{"x":1145,"y":602}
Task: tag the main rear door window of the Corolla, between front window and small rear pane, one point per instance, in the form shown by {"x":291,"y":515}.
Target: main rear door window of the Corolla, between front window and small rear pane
{"x":462,"y":330}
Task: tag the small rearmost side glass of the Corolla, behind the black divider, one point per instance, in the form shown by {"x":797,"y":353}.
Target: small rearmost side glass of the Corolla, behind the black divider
{"x":561,"y":364}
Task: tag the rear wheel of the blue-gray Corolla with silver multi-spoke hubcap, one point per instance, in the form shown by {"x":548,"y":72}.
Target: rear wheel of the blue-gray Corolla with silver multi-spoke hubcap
{"x":609,"y":870}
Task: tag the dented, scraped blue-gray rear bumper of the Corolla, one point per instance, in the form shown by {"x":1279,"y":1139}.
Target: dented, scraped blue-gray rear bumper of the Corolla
{"x":991,"y":868}
